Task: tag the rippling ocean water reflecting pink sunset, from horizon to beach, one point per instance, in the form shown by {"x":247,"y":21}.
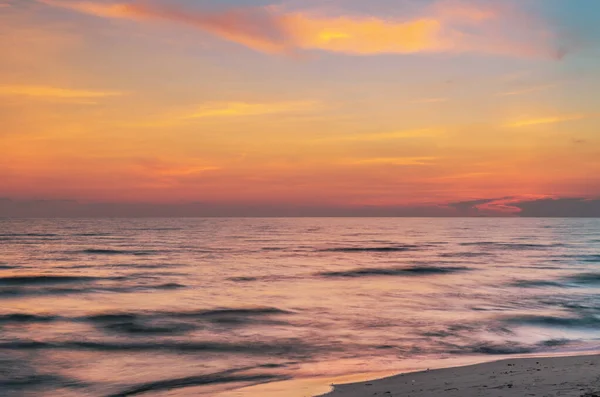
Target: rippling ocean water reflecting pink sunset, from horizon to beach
{"x":188,"y":307}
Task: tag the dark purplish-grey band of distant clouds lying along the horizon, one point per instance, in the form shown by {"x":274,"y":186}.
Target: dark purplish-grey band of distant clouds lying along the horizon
{"x":500,"y":207}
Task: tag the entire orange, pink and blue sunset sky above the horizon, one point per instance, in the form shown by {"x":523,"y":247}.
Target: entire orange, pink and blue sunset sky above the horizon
{"x":299,"y":107}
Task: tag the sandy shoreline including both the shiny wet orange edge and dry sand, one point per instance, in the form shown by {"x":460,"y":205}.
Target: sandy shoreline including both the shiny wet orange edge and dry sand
{"x":468,"y":375}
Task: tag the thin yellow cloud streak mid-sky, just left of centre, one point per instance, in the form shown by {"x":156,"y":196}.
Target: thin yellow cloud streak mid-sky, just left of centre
{"x":237,"y":109}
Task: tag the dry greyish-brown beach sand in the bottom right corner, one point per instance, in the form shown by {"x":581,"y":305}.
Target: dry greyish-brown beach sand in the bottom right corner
{"x":543,"y":377}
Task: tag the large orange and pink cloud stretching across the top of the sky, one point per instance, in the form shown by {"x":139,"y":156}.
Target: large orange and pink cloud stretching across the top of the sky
{"x":448,"y":26}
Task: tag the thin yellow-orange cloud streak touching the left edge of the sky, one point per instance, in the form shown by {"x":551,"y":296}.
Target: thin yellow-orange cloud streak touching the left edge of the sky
{"x":36,"y":91}
